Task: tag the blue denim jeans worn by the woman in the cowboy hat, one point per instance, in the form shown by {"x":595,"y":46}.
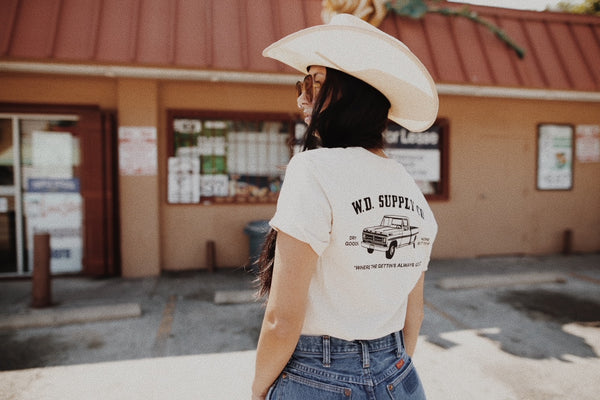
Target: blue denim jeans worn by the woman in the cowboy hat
{"x":324,"y":367}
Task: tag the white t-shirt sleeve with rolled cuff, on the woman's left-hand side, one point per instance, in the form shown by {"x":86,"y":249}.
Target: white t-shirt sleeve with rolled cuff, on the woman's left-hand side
{"x":303,"y":209}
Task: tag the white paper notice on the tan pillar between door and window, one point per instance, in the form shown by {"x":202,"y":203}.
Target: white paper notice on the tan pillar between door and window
{"x":137,"y":150}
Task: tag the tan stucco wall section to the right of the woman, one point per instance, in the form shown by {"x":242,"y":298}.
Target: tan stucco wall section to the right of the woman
{"x":494,"y":207}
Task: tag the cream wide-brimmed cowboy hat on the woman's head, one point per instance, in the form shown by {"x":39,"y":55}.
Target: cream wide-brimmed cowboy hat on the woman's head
{"x":356,"y":47}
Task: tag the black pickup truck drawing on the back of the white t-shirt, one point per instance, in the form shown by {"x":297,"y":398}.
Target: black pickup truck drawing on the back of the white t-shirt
{"x":393,"y":232}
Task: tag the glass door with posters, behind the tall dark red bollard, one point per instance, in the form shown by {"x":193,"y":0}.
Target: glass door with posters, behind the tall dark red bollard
{"x":51,"y":186}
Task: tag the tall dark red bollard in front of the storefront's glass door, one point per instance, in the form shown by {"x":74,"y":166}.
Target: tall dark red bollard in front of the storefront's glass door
{"x":41,"y":290}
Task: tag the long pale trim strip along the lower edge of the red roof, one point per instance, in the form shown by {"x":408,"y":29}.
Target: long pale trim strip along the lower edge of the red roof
{"x":112,"y":71}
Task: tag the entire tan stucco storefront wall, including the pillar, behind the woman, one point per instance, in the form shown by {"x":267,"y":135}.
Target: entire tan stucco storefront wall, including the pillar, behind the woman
{"x":494,"y":207}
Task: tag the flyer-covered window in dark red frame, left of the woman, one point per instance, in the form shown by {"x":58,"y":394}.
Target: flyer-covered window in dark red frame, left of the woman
{"x":227,"y":158}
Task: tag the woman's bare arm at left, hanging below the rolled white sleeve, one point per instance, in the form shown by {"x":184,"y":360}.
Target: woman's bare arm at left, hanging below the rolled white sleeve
{"x":295,"y":263}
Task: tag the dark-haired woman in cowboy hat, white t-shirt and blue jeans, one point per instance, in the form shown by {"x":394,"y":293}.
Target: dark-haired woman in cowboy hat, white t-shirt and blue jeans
{"x":353,"y":232}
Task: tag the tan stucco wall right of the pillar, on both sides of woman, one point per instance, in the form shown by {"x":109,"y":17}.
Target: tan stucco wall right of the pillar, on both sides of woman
{"x":494,"y":207}
